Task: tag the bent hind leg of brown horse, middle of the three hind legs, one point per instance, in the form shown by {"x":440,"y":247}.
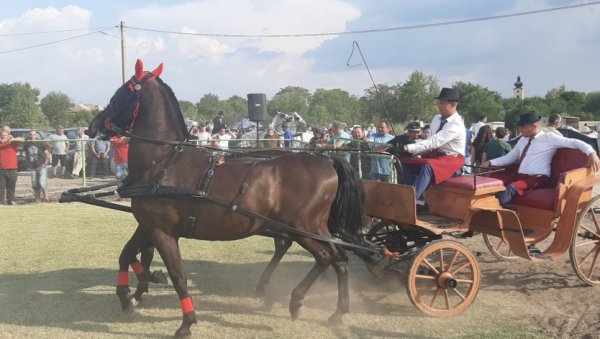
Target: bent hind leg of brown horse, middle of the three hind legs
{"x":323,"y":257}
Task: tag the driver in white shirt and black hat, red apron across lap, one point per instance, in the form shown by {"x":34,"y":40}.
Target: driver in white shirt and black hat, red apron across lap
{"x":441,"y":155}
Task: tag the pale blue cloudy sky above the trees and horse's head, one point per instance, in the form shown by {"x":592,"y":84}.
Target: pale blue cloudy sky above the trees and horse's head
{"x":547,"y":50}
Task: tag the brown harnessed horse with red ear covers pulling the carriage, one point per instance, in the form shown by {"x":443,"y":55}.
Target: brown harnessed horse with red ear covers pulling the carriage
{"x":180,"y":191}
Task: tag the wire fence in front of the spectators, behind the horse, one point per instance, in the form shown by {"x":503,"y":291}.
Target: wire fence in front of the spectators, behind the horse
{"x":85,"y":163}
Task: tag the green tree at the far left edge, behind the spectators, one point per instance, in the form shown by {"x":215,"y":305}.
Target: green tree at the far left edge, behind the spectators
{"x":18,"y":105}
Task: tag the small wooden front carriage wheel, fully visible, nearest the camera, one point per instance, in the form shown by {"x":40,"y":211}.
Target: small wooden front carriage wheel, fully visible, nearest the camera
{"x":443,"y":279}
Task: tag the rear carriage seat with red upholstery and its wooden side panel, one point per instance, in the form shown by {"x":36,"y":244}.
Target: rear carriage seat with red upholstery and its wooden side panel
{"x":568,"y":166}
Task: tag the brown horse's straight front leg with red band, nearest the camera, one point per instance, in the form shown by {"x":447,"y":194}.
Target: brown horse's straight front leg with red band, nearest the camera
{"x":169,"y":251}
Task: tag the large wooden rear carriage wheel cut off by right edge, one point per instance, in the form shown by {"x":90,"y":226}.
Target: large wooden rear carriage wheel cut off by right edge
{"x":585,"y":248}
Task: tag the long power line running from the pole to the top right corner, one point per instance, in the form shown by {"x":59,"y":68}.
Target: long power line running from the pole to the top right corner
{"x":376,"y":30}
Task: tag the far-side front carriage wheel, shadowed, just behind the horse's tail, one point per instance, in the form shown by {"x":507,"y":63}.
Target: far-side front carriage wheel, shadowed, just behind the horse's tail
{"x":384,"y":268}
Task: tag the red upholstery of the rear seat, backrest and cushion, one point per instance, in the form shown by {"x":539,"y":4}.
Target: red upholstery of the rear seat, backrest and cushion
{"x":565,"y":159}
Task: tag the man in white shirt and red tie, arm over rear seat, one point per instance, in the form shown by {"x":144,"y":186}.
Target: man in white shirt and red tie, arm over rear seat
{"x":534,"y":152}
